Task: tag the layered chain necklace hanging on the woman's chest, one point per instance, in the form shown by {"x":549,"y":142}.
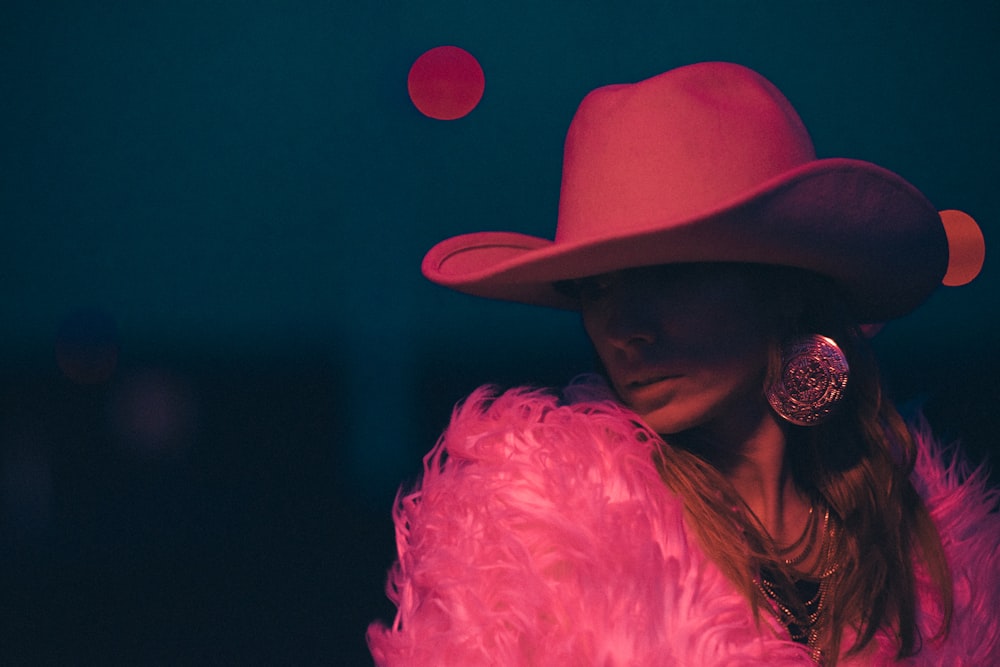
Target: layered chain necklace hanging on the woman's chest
{"x":803,"y":616}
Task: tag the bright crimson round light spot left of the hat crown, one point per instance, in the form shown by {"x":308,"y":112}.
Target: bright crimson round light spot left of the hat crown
{"x":446,"y":83}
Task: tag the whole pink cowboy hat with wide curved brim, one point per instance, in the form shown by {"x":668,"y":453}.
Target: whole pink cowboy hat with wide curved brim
{"x":709,"y":163}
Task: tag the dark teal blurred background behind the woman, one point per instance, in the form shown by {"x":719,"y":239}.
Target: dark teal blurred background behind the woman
{"x":240,"y":193}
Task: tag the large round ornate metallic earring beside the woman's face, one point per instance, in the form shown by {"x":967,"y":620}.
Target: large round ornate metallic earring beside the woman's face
{"x":814,"y":374}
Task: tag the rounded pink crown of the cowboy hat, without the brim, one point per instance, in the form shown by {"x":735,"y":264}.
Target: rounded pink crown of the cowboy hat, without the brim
{"x":674,"y":147}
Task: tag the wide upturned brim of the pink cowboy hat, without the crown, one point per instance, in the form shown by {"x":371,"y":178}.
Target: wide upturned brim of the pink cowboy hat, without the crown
{"x":860,"y":224}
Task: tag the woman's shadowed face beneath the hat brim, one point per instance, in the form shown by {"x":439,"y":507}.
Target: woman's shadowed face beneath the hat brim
{"x":685,"y":346}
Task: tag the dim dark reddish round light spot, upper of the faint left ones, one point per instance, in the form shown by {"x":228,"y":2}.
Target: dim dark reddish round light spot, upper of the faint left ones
{"x":87,"y":346}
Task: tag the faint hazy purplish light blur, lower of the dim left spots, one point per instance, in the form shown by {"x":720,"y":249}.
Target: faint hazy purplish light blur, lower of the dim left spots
{"x":153,"y":415}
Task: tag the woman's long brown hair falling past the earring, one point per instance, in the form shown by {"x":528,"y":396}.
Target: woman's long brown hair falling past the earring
{"x":857,"y":464}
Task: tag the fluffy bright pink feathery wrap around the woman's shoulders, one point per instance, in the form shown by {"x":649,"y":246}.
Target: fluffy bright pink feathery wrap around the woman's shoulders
{"x":541,"y":534}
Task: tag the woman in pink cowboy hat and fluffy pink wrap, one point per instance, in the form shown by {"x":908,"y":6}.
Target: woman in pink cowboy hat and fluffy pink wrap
{"x":733,"y":489}
